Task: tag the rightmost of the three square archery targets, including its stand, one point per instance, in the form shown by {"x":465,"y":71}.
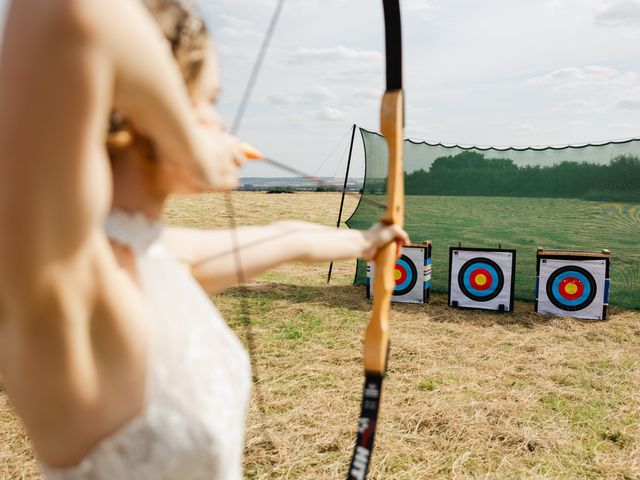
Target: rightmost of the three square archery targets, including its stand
{"x":573,"y":284}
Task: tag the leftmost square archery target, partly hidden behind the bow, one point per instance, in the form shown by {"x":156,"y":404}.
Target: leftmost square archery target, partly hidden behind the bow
{"x":412,"y":274}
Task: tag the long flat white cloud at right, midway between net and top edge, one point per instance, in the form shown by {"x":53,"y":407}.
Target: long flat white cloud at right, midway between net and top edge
{"x":595,"y":76}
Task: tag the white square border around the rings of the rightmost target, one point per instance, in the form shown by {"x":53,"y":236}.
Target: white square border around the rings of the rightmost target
{"x":599,"y":270}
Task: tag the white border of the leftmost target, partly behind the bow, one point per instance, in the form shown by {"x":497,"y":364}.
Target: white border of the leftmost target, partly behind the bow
{"x":420,"y":255}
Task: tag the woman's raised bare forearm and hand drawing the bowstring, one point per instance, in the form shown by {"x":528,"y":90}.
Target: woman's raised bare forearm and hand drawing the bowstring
{"x":150,"y":90}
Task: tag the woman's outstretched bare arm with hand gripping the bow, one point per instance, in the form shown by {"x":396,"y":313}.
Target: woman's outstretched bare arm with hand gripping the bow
{"x":213,"y":255}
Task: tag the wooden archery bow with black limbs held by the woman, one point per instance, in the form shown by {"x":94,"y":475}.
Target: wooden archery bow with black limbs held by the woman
{"x":376,"y":340}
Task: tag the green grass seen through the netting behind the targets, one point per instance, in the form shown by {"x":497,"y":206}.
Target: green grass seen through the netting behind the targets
{"x":525,"y":224}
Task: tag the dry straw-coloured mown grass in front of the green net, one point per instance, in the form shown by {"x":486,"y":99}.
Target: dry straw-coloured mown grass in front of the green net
{"x":468,"y":395}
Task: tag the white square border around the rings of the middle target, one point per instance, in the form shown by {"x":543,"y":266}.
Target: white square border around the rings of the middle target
{"x":504,"y":258}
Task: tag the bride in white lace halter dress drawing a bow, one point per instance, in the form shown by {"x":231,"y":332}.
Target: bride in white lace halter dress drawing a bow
{"x":110,"y":350}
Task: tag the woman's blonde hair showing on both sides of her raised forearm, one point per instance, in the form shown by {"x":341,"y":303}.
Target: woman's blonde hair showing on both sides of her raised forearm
{"x":182,"y":25}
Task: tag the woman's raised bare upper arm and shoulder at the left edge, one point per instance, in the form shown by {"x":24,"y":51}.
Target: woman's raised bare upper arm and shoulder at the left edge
{"x":55,"y":94}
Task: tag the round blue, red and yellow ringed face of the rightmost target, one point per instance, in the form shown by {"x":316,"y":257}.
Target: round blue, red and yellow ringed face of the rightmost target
{"x":571,"y":288}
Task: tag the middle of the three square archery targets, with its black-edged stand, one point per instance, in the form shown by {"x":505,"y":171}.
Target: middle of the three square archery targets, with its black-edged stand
{"x":482,"y":278}
